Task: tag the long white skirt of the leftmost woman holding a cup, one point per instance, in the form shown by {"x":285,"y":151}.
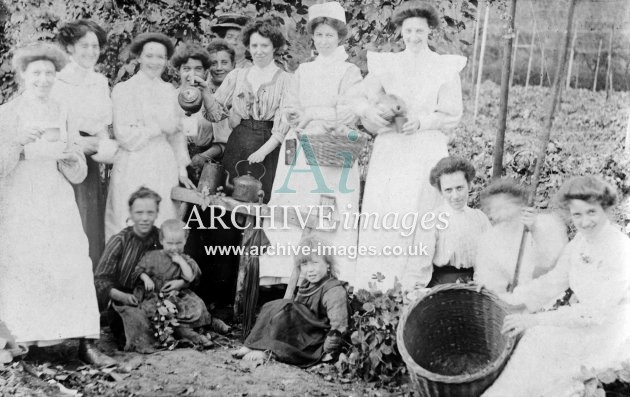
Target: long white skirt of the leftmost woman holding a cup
{"x":46,"y":282}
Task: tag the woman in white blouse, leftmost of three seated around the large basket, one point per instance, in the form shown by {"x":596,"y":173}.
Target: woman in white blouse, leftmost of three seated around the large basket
{"x":454,"y":243}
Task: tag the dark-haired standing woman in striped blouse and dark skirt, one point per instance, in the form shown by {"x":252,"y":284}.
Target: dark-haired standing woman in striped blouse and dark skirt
{"x":254,"y":96}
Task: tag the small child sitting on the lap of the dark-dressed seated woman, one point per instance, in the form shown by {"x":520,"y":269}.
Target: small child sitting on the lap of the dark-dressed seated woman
{"x":169,"y":271}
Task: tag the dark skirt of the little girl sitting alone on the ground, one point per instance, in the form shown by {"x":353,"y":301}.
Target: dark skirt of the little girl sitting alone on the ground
{"x":291,"y":331}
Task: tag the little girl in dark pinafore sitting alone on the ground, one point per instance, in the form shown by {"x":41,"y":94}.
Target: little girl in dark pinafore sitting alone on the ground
{"x":301,"y":331}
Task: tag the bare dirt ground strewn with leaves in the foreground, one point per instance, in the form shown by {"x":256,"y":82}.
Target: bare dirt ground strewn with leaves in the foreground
{"x":180,"y":372}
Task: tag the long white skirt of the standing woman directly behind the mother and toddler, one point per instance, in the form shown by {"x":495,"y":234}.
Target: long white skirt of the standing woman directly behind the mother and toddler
{"x":154,"y":166}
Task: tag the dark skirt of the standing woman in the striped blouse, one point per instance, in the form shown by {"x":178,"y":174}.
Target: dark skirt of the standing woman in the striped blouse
{"x":244,"y":140}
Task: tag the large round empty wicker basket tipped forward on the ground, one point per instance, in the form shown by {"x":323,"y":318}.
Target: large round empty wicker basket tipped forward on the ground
{"x":452,"y":324}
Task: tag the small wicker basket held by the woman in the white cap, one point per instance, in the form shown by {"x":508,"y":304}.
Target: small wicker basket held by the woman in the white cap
{"x":332,"y":149}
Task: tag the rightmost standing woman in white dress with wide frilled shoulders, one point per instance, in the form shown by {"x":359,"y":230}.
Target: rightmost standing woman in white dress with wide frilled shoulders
{"x":398,"y":176}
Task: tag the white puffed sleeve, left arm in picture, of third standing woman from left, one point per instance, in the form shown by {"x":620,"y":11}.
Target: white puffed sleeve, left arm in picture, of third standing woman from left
{"x":130,"y":129}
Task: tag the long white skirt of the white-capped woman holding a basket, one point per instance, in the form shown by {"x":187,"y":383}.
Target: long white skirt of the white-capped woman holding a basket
{"x":301,"y":190}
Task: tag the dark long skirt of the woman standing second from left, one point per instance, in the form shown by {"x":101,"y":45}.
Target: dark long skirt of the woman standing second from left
{"x":91,"y":196}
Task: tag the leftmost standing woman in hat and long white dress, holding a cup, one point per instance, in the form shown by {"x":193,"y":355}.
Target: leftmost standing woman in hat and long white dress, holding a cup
{"x":46,"y":285}
